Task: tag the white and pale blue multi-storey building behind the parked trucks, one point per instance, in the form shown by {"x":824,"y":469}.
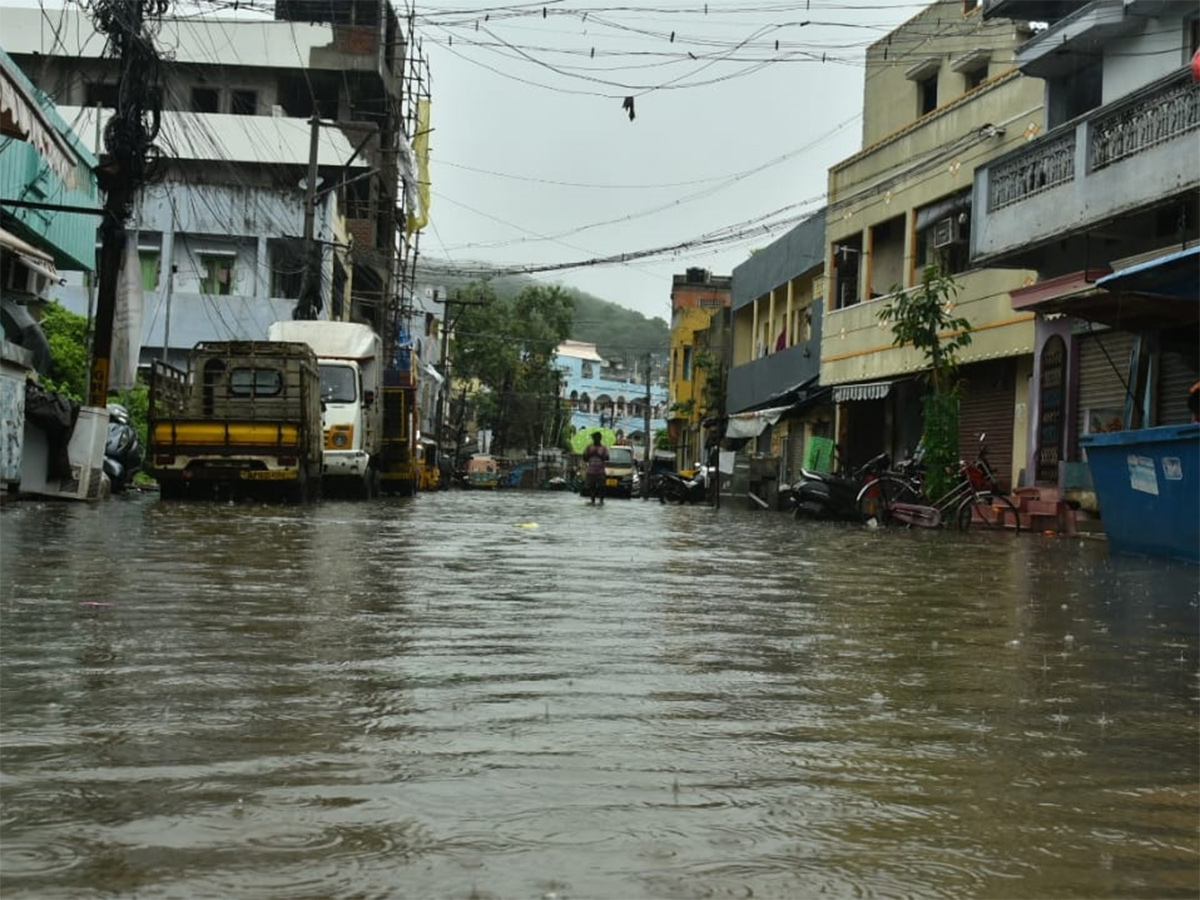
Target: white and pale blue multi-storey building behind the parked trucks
{"x":248,"y":106}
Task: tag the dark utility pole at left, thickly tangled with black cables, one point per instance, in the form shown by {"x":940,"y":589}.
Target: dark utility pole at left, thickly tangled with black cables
{"x":129,"y":137}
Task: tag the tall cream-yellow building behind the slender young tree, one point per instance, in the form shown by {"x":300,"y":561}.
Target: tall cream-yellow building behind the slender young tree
{"x":941,"y":99}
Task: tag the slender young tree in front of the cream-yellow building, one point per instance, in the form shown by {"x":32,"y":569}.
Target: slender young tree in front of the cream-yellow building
{"x":923,"y":317}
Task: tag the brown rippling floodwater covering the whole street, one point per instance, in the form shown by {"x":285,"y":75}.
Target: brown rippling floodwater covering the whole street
{"x":517,"y":695}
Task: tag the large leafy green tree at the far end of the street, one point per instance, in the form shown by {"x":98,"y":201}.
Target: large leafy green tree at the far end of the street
{"x":508,"y":345}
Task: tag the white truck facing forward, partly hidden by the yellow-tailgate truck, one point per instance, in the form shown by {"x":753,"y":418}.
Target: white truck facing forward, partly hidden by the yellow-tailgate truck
{"x":351,"y":361}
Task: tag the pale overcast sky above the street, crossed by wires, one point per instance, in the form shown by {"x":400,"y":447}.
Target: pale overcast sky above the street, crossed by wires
{"x":536,"y":161}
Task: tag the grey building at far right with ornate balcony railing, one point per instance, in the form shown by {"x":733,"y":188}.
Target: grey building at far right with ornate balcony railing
{"x":1103,"y":203}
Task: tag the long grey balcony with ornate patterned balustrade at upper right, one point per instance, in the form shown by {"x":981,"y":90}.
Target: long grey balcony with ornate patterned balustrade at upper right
{"x":1121,"y":159}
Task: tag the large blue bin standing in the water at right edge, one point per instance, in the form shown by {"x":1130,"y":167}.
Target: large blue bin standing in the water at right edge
{"x":1148,"y":484}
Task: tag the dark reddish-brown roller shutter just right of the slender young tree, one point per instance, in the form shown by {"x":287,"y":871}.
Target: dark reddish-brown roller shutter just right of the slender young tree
{"x":989,"y":401}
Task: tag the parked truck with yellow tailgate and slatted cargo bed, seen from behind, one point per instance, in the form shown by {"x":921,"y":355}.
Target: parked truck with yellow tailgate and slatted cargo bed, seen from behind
{"x":242,"y":422}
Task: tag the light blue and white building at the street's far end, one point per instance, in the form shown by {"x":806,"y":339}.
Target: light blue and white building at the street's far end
{"x":603,"y":397}
